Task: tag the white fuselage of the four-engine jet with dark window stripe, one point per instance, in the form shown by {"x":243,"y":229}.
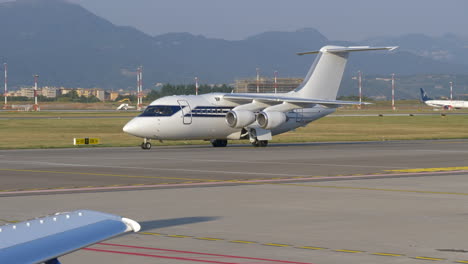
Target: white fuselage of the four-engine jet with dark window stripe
{"x":204,"y":117}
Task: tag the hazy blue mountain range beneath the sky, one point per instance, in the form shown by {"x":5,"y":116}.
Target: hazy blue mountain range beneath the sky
{"x":66,"y":45}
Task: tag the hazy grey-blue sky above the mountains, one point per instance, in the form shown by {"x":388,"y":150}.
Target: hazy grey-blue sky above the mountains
{"x":336,"y":19}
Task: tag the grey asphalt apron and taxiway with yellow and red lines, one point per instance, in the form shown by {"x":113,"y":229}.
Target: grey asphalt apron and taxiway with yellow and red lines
{"x":362,"y":202}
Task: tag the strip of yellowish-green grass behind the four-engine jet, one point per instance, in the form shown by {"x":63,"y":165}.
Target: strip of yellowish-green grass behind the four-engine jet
{"x":58,"y":133}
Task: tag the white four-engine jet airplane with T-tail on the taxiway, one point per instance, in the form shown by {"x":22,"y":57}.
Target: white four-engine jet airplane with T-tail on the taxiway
{"x":220,"y":117}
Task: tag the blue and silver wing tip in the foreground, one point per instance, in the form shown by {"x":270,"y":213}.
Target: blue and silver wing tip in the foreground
{"x":45,"y":239}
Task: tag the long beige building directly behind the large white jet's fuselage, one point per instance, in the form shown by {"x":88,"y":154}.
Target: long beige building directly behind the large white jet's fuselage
{"x":267,"y":85}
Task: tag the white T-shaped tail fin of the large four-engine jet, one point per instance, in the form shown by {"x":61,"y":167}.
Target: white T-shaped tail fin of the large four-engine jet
{"x":324,"y":77}
